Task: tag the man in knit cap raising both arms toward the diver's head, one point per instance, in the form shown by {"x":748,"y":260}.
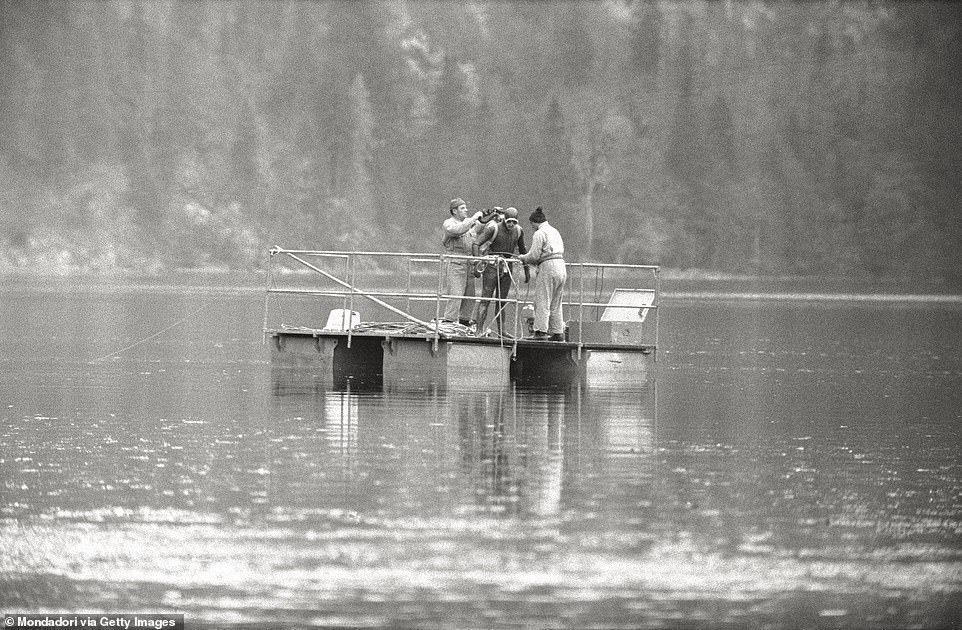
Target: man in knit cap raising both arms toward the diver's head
{"x":457,"y":240}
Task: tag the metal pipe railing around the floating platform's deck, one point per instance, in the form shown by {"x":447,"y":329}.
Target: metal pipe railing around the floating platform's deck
{"x":588,"y":279}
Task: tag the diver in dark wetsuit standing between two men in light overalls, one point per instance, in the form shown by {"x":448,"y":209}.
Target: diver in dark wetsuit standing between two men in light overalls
{"x":496,"y":238}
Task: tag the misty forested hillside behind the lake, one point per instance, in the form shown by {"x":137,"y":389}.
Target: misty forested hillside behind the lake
{"x":742,"y":137}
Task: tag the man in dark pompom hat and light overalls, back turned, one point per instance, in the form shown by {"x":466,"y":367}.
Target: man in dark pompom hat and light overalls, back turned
{"x":547,"y":254}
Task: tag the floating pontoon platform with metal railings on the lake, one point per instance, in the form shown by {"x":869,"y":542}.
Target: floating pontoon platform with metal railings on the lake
{"x":608,"y":342}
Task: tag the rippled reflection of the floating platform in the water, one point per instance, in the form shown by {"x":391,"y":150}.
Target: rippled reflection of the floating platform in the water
{"x":512,"y":452}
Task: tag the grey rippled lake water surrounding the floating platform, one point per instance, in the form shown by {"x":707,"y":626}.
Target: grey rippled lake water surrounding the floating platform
{"x":790,"y":463}
